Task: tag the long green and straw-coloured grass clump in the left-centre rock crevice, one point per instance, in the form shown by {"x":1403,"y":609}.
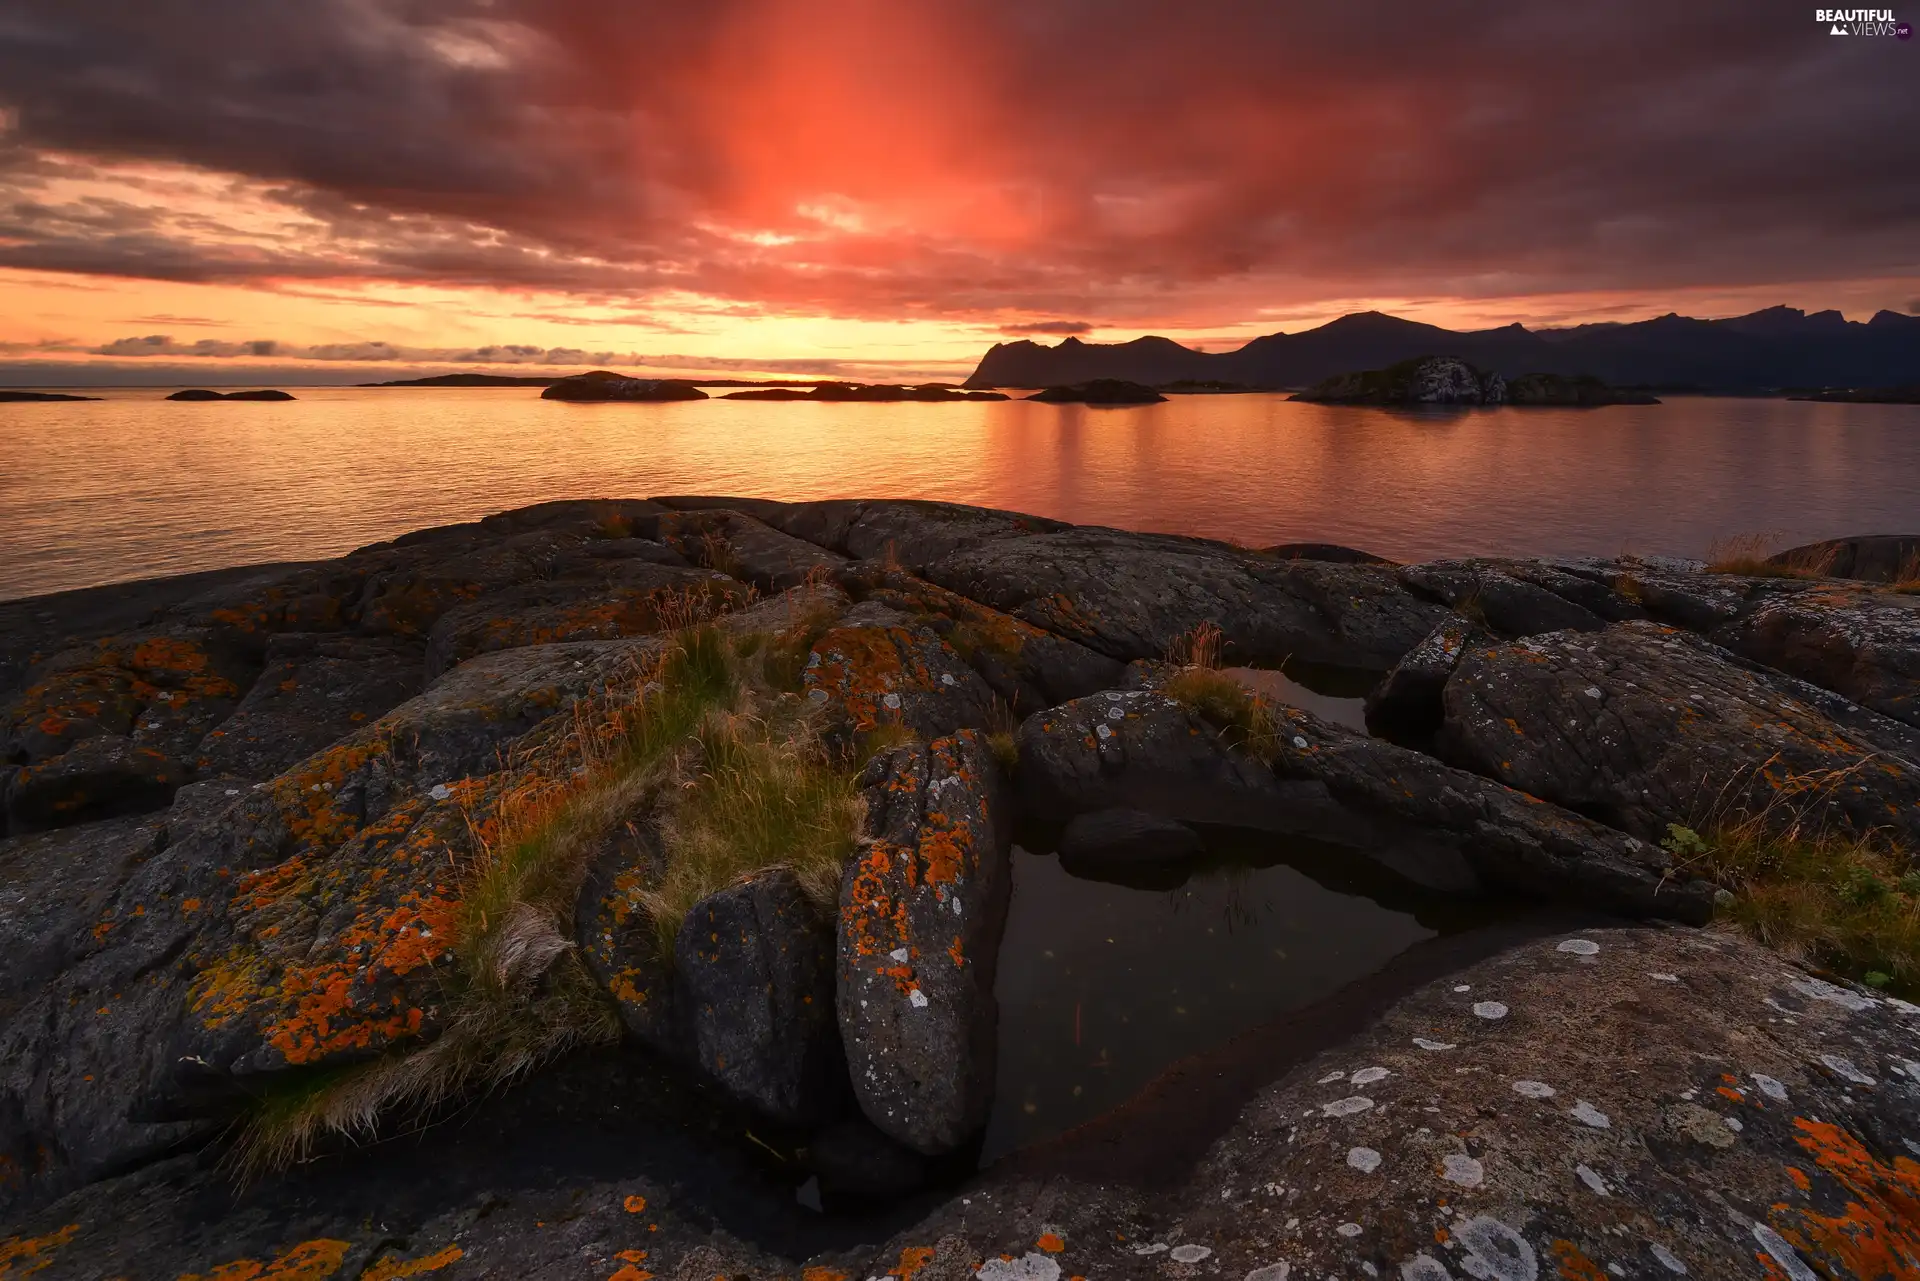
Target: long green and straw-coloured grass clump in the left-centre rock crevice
{"x":738,"y":779}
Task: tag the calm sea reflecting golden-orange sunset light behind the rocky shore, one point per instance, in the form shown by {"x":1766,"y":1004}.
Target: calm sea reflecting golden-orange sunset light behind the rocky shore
{"x":135,"y":487}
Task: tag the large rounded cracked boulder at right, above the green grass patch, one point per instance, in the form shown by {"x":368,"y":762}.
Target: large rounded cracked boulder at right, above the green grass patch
{"x":1644,"y":727}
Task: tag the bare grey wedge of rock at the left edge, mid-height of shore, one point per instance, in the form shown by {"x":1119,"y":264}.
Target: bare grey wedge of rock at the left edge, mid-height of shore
{"x":53,"y":892}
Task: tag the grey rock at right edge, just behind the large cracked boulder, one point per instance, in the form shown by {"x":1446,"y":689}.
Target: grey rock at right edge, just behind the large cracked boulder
{"x":1856,"y":642}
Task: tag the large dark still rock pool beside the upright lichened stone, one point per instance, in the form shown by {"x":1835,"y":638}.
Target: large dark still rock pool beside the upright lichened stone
{"x":1105,"y":986}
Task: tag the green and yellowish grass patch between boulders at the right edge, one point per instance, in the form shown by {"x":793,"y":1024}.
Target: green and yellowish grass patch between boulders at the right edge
{"x":1842,"y":902}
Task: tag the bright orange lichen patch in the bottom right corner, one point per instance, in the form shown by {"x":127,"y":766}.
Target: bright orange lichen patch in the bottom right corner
{"x":1879,"y":1230}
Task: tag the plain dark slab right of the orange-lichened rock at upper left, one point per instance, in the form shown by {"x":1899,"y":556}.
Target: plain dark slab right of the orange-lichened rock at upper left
{"x":316,"y":690}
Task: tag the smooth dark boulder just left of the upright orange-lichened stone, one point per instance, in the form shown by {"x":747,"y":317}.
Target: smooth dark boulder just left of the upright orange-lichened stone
{"x":756,"y":973}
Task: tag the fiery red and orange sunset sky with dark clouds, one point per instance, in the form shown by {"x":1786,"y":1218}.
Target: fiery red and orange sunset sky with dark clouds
{"x":880,"y":189}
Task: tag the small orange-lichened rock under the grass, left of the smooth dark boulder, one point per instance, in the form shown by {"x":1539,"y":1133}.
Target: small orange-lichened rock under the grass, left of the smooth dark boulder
{"x":619,"y":942}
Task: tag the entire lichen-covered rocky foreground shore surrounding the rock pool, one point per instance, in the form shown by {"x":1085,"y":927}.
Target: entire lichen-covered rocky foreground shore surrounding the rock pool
{"x":617,"y":888}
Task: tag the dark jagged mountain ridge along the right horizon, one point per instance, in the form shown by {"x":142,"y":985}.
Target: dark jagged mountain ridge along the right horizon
{"x":1760,"y":352}
